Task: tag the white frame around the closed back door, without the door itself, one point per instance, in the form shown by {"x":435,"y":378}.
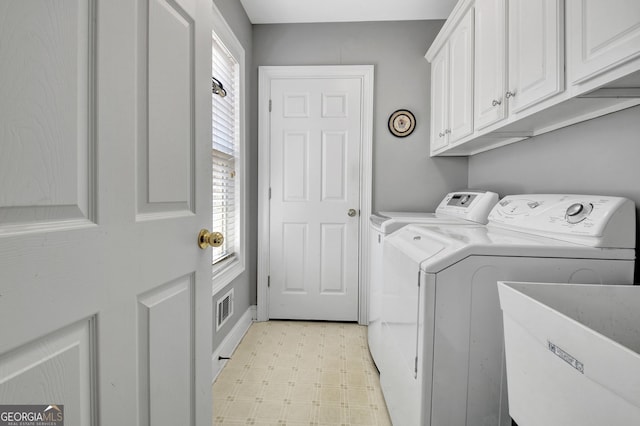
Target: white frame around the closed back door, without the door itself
{"x":265,"y":75}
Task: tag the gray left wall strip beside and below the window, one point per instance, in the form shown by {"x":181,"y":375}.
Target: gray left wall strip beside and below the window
{"x":244,"y":285}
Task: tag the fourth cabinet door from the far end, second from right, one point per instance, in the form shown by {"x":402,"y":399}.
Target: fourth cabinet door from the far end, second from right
{"x":536,"y":65}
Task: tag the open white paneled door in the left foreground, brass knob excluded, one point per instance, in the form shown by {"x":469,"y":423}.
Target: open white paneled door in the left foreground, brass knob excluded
{"x":105,"y":297}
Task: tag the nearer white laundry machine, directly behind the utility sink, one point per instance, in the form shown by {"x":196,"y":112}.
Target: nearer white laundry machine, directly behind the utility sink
{"x":443,"y":361}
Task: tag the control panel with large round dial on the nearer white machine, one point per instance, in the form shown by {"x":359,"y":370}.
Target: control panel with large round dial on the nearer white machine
{"x":598,"y":221}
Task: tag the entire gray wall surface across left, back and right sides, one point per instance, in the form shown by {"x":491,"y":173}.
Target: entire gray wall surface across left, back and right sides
{"x":598,"y":156}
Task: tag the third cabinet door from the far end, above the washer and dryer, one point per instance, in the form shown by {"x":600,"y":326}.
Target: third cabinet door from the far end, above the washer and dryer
{"x":490,"y":65}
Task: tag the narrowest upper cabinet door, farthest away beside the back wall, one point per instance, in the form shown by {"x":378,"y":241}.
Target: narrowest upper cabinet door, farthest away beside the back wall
{"x":439,"y":99}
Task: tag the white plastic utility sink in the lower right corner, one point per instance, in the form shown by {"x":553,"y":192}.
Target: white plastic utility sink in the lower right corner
{"x":572,"y":353}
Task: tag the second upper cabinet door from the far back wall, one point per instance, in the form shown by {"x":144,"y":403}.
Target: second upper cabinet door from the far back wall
{"x":461,"y":75}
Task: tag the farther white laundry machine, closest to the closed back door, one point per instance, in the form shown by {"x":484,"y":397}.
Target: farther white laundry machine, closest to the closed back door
{"x":460,"y":208}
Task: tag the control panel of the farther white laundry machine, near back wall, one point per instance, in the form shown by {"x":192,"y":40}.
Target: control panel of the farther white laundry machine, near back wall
{"x":468,"y":205}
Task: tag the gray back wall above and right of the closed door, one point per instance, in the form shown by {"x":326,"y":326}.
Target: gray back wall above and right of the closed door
{"x":405,"y":178}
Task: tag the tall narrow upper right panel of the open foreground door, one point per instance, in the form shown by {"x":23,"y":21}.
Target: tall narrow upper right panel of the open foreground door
{"x":170,"y":77}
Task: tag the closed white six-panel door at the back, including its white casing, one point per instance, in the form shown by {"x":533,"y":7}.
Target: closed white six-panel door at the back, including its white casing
{"x":315,"y":164}
